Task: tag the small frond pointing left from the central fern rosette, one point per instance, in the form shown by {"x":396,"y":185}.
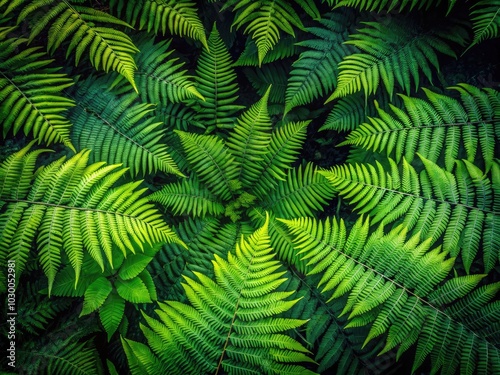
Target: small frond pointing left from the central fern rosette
{"x":188,"y":197}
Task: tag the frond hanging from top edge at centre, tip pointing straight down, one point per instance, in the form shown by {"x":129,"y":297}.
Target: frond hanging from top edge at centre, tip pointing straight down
{"x":265,"y":18}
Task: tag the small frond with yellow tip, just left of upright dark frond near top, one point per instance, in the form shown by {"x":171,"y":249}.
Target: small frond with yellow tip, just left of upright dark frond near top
{"x":159,"y":77}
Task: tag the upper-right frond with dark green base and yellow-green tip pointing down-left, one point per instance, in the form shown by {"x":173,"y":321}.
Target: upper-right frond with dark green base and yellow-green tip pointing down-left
{"x":392,"y":53}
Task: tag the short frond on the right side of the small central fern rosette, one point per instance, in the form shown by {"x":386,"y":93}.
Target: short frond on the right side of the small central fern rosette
{"x":302,"y":193}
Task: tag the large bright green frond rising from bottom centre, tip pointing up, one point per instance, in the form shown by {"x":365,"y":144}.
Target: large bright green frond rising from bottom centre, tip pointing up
{"x":238,"y":331}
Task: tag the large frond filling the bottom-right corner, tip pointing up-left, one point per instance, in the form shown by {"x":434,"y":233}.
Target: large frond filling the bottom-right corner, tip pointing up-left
{"x":383,"y":278}
